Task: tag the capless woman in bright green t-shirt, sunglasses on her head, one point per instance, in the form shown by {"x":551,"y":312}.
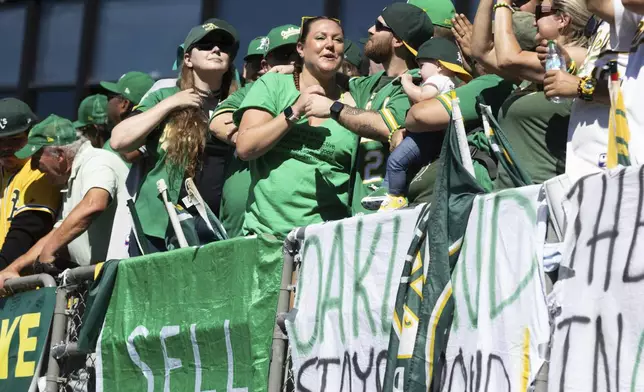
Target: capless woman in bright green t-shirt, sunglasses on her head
{"x":299,"y":166}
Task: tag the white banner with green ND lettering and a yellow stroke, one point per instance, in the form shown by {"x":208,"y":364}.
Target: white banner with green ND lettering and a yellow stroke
{"x":501,"y":315}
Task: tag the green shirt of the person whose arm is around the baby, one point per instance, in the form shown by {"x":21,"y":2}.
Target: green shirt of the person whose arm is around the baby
{"x":492,"y":90}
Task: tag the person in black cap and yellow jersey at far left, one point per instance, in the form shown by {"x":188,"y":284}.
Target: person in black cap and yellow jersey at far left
{"x":28,"y":201}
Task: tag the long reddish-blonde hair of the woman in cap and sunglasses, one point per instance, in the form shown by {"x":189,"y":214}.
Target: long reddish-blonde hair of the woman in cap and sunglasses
{"x":187,"y":129}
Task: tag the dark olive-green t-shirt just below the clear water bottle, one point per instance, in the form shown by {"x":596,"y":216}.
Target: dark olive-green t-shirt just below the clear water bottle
{"x":537,"y":130}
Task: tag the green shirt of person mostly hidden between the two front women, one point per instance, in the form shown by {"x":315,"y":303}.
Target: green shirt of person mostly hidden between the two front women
{"x":234,"y":195}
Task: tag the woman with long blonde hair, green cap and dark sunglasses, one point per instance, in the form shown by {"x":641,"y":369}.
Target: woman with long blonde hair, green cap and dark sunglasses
{"x":172,"y":124}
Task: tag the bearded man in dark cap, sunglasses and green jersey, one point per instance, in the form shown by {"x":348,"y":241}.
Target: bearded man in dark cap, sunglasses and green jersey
{"x":381,"y":103}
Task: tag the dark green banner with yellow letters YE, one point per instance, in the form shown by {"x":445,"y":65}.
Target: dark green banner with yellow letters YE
{"x":25,"y":319}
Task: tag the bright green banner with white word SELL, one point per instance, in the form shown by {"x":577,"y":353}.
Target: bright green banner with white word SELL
{"x":197,"y":319}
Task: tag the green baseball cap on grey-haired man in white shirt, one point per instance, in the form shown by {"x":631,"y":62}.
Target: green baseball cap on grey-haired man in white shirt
{"x":52,"y":131}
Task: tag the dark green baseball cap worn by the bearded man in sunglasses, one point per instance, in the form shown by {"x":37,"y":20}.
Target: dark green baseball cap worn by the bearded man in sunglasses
{"x":409,"y":23}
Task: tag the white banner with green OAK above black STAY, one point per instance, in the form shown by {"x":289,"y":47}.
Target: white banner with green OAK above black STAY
{"x":339,"y":329}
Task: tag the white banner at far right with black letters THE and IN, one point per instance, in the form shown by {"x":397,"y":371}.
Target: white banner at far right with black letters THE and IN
{"x":599,"y":328}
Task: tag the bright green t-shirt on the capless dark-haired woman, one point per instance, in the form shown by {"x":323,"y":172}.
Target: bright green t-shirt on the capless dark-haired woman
{"x":304,"y":178}
